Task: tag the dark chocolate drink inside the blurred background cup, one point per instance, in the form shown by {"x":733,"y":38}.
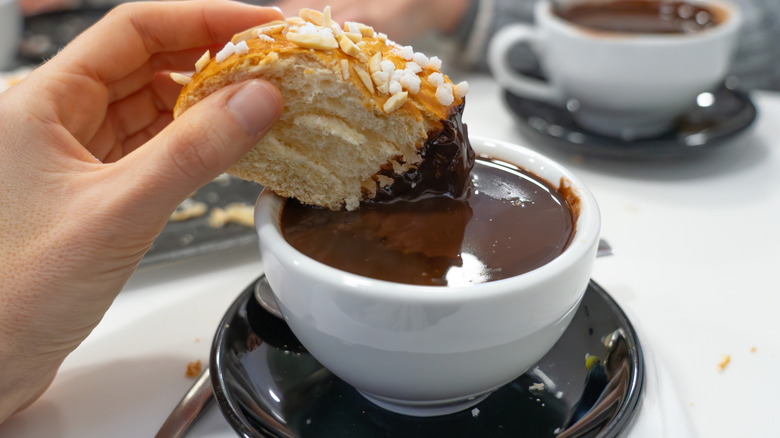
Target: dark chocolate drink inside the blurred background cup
{"x":642,"y":16}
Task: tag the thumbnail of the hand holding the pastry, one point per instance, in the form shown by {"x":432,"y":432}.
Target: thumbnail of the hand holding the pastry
{"x":255,"y":106}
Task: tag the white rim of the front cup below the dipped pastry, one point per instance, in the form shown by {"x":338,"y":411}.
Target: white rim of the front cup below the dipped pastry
{"x":268,"y":208}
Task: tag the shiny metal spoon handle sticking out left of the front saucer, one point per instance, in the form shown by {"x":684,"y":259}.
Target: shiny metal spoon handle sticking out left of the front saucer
{"x":189,"y":409}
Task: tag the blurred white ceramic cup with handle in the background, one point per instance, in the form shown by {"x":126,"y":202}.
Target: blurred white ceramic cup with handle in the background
{"x":623,"y":85}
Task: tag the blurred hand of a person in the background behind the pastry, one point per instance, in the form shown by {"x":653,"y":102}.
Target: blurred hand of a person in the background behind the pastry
{"x":401,"y":20}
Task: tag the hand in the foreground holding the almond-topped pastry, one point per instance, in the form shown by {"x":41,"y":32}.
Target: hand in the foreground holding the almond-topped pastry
{"x":92,"y":166}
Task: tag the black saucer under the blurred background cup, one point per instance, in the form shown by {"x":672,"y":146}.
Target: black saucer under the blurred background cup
{"x":700,"y":129}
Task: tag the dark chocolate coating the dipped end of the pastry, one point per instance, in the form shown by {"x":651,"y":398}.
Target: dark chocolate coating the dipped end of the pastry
{"x":447,"y":160}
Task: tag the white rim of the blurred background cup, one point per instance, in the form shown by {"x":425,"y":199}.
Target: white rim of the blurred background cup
{"x":543,"y":13}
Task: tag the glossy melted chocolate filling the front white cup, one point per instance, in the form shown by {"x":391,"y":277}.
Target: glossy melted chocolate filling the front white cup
{"x":507,"y":222}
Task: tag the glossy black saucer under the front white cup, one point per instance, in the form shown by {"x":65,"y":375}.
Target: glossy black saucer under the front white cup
{"x":267,"y":385}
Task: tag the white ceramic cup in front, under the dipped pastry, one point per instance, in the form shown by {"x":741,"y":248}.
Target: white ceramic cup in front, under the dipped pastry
{"x":431,"y":350}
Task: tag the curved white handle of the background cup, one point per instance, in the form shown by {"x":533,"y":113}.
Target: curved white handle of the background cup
{"x":516,"y":82}
